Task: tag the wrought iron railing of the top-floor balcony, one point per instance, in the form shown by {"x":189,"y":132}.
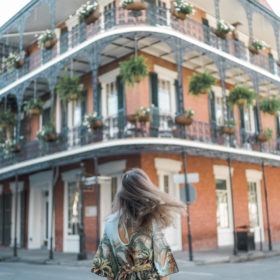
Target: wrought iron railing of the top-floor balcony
{"x":157,"y":16}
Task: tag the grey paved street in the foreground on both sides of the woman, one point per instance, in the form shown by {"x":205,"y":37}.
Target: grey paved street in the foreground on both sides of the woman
{"x":258,"y":270}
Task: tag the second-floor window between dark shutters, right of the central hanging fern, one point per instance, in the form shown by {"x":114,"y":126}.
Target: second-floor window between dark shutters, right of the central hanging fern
{"x":164,"y":96}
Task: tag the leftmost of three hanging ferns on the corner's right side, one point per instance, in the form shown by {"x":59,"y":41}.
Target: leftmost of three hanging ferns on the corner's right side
{"x":201,"y":83}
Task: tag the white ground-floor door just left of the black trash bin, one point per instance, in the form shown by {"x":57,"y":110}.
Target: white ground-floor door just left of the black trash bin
{"x":224,"y":213}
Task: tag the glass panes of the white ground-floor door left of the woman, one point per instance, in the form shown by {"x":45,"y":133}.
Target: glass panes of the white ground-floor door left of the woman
{"x":73,"y":209}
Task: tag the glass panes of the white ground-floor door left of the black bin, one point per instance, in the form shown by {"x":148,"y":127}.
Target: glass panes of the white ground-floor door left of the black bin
{"x":222,"y":204}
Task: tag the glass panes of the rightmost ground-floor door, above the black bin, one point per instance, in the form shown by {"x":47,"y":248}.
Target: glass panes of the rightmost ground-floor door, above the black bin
{"x":254,"y":217}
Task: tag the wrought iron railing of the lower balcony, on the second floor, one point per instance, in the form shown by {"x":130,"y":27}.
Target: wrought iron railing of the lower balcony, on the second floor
{"x":121,"y":127}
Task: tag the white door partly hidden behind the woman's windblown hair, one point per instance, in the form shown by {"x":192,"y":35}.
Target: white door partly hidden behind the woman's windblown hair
{"x":173,"y":233}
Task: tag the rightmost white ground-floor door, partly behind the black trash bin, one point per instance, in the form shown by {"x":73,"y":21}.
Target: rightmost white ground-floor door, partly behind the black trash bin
{"x":255,"y":210}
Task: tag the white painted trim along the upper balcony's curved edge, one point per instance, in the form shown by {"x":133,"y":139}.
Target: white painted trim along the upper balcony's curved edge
{"x":133,"y":29}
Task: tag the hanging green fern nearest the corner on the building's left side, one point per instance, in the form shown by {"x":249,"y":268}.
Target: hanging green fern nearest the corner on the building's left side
{"x":69,"y":88}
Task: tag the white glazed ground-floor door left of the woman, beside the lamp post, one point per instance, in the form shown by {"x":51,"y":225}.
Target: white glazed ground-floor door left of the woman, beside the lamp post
{"x":71,"y":217}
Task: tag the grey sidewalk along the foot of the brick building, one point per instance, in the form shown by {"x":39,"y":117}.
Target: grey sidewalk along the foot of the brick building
{"x":223,"y":255}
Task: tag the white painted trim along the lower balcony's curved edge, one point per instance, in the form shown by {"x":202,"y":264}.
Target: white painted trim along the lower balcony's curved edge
{"x":141,"y":141}
